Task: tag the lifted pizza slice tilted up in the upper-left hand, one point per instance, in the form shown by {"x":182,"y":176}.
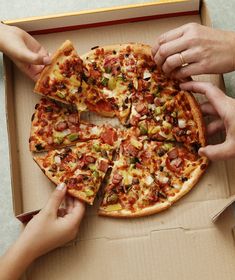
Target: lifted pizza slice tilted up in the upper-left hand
{"x":62,"y":79}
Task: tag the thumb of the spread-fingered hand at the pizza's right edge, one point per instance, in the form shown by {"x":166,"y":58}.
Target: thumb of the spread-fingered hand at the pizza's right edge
{"x":217,"y":152}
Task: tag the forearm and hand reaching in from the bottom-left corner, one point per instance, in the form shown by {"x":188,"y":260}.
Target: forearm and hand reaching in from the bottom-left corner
{"x":52,"y":227}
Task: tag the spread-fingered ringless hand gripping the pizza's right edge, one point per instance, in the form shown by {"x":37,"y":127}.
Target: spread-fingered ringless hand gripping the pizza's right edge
{"x":222,"y":107}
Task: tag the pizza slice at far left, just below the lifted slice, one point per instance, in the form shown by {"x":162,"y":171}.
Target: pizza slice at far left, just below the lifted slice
{"x":56,"y":125}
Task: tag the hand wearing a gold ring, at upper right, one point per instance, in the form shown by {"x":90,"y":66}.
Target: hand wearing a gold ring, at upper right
{"x":204,"y":50}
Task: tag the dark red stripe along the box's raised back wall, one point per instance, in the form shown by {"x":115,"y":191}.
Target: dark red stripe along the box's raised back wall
{"x":112,"y":22}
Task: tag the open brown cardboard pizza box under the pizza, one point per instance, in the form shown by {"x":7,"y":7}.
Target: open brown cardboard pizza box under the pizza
{"x":184,"y":242}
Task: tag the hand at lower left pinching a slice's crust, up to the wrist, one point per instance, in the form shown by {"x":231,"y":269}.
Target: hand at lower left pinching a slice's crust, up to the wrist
{"x":53,"y":226}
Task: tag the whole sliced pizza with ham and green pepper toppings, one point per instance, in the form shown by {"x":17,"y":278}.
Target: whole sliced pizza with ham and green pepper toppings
{"x":140,"y":167}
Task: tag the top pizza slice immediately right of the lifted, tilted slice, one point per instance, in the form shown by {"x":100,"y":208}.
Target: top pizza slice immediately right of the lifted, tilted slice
{"x":108,"y":73}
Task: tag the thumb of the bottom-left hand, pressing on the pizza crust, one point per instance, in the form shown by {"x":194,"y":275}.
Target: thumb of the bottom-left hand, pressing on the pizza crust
{"x":56,"y":199}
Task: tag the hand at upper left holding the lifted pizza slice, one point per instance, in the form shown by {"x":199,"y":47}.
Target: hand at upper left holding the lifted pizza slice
{"x":29,"y":56}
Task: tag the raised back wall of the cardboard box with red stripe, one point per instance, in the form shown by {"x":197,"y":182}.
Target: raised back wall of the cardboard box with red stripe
{"x":107,"y":16}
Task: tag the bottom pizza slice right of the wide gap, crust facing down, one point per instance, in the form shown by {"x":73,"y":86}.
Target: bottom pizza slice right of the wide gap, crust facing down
{"x":131,"y":188}
